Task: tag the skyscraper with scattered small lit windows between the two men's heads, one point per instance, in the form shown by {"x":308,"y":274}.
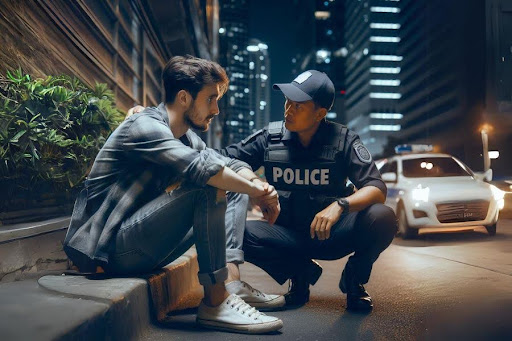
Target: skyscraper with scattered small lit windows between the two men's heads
{"x":246,"y":106}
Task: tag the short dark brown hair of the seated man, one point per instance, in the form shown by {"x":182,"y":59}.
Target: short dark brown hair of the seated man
{"x":192,"y":74}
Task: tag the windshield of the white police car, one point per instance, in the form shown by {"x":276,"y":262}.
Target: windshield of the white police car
{"x":432,"y":167}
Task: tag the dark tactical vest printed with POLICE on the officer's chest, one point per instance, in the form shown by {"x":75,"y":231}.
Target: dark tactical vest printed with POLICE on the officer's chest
{"x":313,"y":170}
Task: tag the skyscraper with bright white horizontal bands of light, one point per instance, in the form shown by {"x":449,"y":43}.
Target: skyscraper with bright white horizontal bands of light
{"x":372,"y":70}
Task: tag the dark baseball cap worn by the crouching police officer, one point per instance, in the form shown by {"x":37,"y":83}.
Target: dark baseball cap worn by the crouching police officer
{"x":310,"y":85}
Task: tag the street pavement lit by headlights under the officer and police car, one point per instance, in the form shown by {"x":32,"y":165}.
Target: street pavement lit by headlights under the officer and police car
{"x":441,"y":286}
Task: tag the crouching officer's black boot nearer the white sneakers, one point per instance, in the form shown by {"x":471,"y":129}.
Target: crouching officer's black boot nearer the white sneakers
{"x":298,"y":294}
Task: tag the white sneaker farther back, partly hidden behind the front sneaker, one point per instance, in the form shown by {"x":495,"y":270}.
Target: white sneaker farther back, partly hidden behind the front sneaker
{"x":254,"y":297}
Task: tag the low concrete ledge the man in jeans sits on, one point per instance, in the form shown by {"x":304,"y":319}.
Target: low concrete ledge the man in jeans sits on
{"x":70,"y":307}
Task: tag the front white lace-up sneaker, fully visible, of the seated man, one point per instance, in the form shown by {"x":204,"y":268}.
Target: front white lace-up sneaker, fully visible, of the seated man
{"x":234,"y":315}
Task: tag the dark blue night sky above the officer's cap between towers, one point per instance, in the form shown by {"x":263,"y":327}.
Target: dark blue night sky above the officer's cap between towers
{"x":278,"y":23}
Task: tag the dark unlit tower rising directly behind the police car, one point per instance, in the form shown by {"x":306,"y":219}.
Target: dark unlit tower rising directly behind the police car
{"x":442,"y":76}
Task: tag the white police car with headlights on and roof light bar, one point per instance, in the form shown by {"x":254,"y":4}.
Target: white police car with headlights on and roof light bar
{"x":432,"y":190}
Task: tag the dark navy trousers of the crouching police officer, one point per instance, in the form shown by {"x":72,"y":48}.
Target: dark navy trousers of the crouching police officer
{"x":283,"y":251}
